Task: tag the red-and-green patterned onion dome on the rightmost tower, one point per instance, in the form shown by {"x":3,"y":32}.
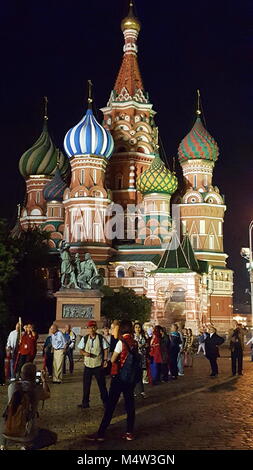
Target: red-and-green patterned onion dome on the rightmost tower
{"x":198,"y":144}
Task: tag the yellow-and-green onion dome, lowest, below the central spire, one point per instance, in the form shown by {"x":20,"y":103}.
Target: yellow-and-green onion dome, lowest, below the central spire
{"x":157,"y":179}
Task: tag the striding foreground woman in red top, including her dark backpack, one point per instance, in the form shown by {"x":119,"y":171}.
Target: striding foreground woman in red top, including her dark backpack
{"x":126,"y":372}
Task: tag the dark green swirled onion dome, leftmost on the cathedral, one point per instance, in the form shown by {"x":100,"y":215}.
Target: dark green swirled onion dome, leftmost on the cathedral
{"x":41,"y":158}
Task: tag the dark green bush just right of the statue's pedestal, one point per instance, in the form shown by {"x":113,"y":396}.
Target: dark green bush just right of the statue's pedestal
{"x":125,"y":303}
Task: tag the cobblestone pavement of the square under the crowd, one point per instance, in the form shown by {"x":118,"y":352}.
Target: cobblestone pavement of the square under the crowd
{"x":194,"y":412}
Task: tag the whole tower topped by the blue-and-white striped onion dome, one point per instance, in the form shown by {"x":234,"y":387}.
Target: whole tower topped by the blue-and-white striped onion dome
{"x":88,"y":145}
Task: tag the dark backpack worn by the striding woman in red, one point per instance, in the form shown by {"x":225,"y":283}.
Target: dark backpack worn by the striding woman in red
{"x":130,"y":372}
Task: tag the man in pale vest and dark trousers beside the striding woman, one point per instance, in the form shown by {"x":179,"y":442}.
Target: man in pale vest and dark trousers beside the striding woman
{"x":94,"y":348}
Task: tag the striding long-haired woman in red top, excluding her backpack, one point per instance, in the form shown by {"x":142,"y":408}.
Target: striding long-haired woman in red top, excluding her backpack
{"x":125,"y":343}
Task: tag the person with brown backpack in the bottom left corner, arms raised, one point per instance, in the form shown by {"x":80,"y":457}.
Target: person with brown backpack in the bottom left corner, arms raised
{"x":21,"y":413}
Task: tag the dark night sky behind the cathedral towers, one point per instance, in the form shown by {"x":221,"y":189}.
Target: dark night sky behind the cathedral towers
{"x":53,"y":47}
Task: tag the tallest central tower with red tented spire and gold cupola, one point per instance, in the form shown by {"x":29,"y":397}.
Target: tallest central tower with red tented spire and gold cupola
{"x":129,"y":117}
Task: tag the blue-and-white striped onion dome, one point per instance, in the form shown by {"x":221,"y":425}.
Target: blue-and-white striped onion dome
{"x":88,"y":137}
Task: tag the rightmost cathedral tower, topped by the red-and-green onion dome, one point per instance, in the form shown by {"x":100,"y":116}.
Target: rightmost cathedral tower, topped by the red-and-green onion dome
{"x":202,"y":214}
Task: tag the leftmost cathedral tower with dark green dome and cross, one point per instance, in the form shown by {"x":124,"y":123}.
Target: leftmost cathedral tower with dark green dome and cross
{"x":38,"y":165}
